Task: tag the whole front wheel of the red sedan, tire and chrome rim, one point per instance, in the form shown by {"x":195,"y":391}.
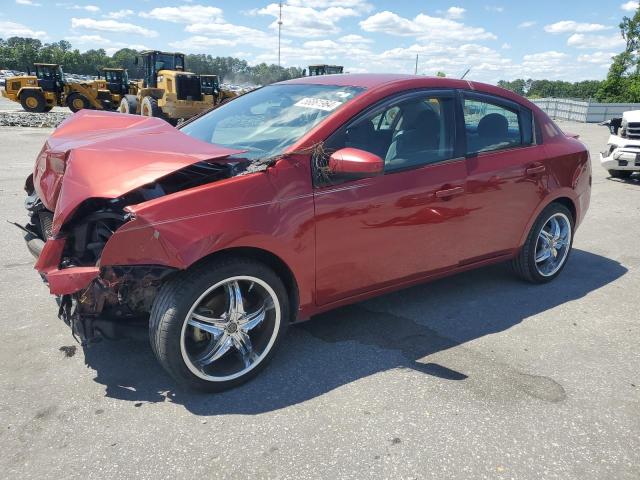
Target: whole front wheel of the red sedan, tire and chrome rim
{"x":216,"y":326}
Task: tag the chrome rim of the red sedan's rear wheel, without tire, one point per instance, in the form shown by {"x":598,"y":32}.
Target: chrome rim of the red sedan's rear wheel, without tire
{"x":553,"y":244}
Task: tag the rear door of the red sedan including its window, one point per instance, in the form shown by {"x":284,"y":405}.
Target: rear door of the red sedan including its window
{"x":507,"y":174}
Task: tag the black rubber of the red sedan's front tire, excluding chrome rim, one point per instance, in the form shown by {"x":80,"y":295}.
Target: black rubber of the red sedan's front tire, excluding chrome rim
{"x":176,"y":299}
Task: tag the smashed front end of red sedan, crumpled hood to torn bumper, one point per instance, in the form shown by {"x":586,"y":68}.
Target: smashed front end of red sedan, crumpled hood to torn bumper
{"x":76,"y":203}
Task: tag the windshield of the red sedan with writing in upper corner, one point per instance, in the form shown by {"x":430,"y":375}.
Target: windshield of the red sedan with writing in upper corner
{"x":268,"y":120}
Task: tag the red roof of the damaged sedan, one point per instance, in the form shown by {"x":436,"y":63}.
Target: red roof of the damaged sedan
{"x":371,"y":81}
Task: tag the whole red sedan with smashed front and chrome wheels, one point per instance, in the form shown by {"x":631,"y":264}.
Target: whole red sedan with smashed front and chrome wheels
{"x":292,"y":200}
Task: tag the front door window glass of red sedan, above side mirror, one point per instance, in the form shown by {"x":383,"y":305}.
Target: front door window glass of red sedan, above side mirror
{"x":409,"y":133}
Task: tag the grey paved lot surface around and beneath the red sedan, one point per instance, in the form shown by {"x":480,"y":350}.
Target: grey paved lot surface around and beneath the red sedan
{"x":474,"y":376}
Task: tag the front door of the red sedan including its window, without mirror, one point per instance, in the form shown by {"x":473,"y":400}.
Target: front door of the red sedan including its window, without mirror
{"x":376,"y":231}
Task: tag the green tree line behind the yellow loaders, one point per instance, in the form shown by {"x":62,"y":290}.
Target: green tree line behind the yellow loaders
{"x":19,"y":53}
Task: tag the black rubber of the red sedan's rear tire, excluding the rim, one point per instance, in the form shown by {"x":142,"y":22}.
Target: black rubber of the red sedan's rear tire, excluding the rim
{"x":524,"y":264}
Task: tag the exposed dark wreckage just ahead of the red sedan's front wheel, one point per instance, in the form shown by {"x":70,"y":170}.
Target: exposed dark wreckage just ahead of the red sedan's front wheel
{"x":115,"y":305}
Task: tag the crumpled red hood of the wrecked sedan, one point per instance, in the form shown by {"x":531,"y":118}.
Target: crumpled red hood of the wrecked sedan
{"x":98,"y":154}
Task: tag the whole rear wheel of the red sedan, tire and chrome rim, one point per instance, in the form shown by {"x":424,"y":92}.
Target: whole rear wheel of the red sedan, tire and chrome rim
{"x":546,"y":250}
